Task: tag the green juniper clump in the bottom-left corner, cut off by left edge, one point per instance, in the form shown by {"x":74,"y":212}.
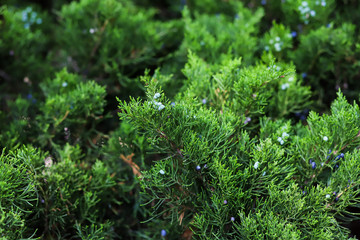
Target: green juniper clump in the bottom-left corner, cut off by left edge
{"x":18,"y":191}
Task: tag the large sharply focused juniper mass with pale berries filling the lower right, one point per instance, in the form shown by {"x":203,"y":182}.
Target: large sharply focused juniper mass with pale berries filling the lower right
{"x":210,"y":173}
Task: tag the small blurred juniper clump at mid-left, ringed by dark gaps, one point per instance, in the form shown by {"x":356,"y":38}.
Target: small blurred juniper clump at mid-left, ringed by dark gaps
{"x":69,"y":103}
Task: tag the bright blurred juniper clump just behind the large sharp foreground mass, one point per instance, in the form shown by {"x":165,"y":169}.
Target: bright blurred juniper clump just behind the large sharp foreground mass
{"x":247,"y":91}
